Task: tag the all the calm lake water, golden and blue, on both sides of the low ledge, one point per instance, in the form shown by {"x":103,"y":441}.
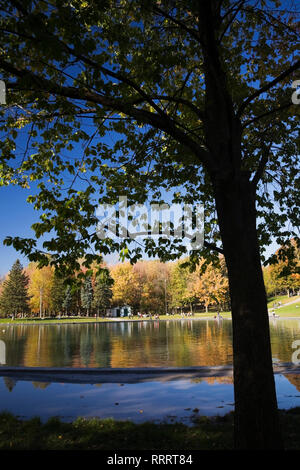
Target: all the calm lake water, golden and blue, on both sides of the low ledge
{"x":134,"y":344}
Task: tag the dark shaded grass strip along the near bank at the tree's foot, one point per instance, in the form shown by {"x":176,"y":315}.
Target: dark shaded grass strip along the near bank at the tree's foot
{"x":95,"y":434}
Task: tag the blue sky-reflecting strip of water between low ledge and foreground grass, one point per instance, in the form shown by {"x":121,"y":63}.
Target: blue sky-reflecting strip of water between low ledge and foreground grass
{"x":138,"y":402}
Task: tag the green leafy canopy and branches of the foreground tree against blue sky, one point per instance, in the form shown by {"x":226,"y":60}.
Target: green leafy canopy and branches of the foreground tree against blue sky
{"x":107,"y":98}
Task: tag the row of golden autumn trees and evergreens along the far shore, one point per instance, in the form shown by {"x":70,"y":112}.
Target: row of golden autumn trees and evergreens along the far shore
{"x":150,"y":288}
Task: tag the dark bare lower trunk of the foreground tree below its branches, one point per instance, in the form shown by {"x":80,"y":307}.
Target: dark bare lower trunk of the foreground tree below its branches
{"x":256,"y":414}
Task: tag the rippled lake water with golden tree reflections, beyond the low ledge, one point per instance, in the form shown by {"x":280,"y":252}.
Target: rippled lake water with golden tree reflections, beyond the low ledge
{"x":175,"y":343}
